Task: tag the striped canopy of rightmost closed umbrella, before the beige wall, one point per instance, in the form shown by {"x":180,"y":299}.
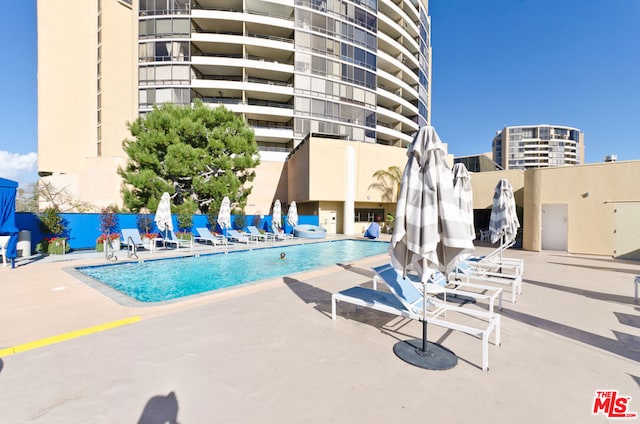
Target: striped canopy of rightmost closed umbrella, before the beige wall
{"x":503,"y":224}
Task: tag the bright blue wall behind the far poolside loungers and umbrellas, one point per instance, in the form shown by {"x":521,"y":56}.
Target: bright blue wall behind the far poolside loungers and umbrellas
{"x":84,"y":228}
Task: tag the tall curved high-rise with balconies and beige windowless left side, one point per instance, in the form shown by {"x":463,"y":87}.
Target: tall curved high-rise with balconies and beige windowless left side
{"x":359,"y":69}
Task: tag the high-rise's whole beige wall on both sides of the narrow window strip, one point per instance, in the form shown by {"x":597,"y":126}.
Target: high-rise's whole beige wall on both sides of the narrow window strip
{"x":70,"y":89}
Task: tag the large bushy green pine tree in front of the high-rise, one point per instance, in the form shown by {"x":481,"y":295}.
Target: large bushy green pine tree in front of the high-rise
{"x":196,"y":154}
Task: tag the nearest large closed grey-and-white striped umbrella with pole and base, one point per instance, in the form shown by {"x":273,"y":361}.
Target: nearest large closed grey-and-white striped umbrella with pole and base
{"x":428,"y":235}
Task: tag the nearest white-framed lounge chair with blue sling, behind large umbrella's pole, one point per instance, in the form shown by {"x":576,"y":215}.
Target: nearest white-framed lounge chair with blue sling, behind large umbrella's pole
{"x":407,"y":301}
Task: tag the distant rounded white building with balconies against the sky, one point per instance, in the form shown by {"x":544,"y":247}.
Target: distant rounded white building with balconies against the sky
{"x":538,"y":146}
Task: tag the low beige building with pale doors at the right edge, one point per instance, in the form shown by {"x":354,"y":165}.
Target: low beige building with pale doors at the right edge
{"x":587,"y":209}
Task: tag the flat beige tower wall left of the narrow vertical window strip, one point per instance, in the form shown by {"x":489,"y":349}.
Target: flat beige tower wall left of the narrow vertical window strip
{"x":67,"y":75}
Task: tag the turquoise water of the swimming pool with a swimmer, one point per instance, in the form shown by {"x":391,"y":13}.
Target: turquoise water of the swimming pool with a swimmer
{"x":165,"y":279}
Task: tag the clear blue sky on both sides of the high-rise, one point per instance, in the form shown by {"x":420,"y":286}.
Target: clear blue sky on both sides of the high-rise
{"x":495,"y":63}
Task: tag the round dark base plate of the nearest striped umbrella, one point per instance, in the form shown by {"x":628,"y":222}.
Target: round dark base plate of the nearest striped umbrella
{"x":436,"y":357}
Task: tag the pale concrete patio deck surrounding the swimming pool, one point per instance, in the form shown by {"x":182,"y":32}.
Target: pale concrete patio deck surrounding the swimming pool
{"x":270,"y":353}
